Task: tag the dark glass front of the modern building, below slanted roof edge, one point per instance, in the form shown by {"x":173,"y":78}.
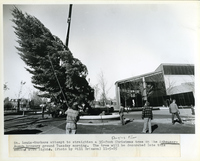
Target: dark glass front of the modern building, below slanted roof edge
{"x":153,"y":90}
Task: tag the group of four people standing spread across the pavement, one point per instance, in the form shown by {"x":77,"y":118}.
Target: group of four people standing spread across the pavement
{"x":147,"y":115}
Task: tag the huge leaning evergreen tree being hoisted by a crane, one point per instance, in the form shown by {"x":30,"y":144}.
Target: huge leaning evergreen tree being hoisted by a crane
{"x":43,"y":52}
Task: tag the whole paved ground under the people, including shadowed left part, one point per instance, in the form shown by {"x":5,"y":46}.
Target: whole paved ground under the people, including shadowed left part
{"x":161,"y":124}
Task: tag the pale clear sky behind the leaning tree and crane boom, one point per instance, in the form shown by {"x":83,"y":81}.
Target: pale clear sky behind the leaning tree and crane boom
{"x":118,"y":40}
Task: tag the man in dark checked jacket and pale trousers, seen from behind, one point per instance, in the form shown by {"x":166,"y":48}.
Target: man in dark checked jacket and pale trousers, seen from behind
{"x":147,"y":115}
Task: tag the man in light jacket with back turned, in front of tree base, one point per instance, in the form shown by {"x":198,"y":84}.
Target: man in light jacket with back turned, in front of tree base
{"x":72,"y":119}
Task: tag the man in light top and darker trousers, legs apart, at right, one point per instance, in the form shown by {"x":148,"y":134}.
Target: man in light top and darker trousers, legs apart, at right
{"x":173,"y":109}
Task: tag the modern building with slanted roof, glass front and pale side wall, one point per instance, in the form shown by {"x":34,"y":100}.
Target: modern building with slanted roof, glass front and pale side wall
{"x":167,"y":82}
